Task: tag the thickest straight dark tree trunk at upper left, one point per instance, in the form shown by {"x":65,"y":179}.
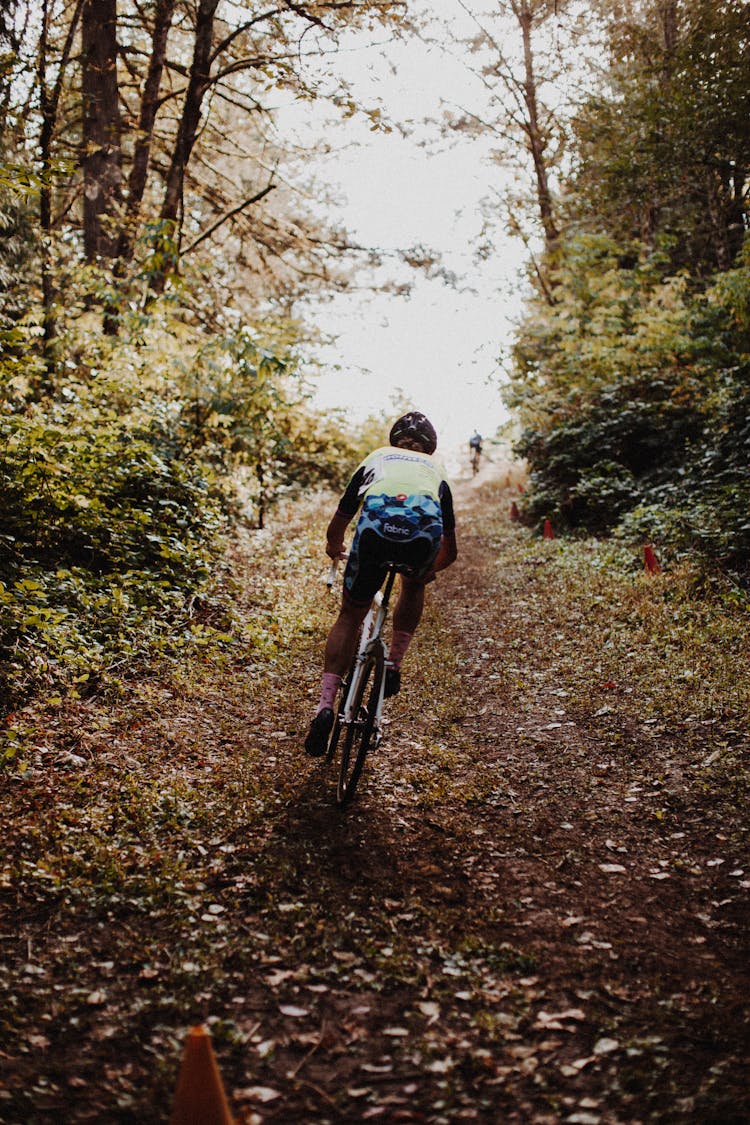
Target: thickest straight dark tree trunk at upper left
{"x":102,"y":128}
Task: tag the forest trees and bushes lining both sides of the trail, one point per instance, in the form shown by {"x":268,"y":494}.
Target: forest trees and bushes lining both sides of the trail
{"x":158,"y":236}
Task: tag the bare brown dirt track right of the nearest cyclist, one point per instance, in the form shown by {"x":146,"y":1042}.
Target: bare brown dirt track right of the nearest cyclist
{"x":574,"y":866}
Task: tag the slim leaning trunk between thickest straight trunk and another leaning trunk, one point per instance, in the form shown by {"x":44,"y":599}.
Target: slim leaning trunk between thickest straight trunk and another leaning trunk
{"x":139,"y":176}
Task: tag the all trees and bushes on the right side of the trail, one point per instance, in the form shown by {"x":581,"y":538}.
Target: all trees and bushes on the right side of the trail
{"x":630,"y":372}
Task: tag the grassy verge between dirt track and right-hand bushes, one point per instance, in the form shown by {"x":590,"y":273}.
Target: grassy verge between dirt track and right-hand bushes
{"x":647,"y":656}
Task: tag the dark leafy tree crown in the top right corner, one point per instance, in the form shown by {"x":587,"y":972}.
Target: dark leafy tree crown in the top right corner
{"x":663,"y":150}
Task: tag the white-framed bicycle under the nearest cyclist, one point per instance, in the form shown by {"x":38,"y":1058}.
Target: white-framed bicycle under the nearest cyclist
{"x":362,"y":722}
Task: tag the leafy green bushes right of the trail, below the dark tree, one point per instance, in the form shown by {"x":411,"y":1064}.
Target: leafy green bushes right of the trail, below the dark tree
{"x":635,"y":394}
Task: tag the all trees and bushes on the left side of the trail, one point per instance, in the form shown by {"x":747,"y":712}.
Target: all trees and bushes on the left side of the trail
{"x":156,"y":236}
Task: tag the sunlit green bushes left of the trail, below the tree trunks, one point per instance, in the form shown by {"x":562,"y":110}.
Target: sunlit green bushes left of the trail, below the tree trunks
{"x":118,"y":485}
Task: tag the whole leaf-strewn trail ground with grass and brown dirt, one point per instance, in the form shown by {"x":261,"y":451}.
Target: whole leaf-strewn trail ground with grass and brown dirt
{"x":536,"y":912}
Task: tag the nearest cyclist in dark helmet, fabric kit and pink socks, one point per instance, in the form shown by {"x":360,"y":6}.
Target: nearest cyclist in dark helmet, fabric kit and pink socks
{"x":406,"y":518}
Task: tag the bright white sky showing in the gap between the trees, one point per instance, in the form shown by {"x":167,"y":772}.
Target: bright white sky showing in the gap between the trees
{"x":440,"y":346}
